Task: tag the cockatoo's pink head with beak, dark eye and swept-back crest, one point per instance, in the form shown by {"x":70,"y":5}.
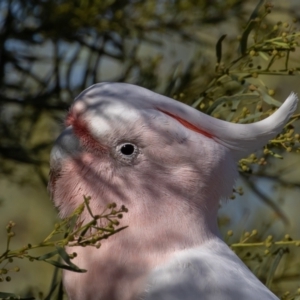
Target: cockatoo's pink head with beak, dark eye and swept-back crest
{"x":160,"y":158}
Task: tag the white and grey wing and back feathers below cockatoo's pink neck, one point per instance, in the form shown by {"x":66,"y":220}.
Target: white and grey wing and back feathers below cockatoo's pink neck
{"x":209,"y":272}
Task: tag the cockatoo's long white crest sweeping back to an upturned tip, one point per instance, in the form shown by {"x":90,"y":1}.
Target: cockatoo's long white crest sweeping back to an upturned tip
{"x":242,"y":139}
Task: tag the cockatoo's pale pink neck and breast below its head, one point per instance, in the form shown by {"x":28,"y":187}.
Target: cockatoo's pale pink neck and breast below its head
{"x":155,"y":232}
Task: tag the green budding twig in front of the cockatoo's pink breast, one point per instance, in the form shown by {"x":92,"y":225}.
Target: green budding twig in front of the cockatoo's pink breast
{"x":71,"y":231}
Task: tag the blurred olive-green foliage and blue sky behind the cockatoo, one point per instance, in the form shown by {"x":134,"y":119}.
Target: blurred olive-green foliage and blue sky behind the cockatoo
{"x":51,"y":50}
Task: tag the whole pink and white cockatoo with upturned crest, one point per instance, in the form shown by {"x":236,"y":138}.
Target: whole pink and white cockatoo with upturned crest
{"x":170,"y":165}
